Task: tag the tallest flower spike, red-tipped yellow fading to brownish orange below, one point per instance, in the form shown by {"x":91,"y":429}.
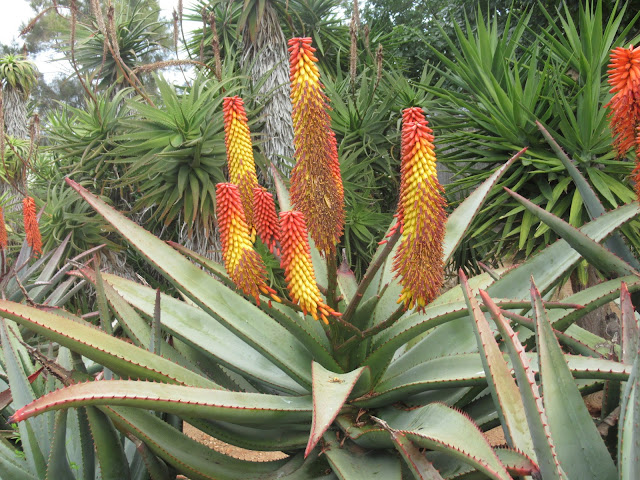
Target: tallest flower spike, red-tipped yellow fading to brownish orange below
{"x":316,"y":183}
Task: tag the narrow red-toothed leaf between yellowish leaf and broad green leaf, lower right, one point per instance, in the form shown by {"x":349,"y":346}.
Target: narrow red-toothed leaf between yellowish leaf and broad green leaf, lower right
{"x":536,"y":418}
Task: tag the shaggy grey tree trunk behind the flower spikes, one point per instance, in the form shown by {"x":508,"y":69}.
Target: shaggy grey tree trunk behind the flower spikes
{"x":267,"y":55}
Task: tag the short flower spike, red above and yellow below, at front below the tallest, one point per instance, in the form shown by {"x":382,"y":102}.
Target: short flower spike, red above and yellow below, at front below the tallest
{"x":298,"y":268}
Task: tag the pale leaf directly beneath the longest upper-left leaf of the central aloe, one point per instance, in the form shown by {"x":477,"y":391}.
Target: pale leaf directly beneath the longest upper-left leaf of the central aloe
{"x":195,"y":327}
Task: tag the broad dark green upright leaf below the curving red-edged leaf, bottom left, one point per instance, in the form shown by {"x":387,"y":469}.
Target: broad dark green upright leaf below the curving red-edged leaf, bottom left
{"x":108,"y":447}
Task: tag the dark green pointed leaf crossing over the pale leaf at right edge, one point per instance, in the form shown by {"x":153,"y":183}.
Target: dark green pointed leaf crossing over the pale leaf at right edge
{"x":601,"y":258}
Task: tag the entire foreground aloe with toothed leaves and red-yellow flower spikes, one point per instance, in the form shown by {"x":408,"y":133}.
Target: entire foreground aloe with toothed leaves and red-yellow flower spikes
{"x":370,"y":387}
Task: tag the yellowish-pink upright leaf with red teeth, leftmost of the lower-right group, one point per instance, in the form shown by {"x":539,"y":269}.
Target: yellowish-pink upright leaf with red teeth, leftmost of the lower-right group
{"x":503,"y":388}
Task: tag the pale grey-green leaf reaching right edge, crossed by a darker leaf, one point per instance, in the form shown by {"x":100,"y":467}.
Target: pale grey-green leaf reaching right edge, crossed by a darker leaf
{"x":557,"y":259}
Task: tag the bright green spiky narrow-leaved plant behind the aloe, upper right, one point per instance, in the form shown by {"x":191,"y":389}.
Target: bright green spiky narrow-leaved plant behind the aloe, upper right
{"x":501,"y":77}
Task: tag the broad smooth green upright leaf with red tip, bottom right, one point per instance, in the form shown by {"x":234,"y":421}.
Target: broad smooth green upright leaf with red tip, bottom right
{"x":581,"y":450}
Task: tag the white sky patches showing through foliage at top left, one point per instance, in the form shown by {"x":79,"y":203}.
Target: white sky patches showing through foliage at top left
{"x":20,"y":13}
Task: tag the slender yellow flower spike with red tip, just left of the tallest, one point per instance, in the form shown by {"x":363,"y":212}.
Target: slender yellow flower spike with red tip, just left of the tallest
{"x":242,"y":168}
